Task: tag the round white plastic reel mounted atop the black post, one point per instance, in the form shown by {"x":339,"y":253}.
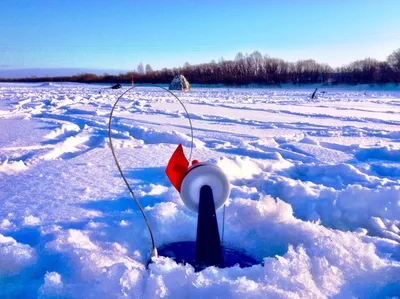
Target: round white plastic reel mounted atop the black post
{"x":202,"y":174}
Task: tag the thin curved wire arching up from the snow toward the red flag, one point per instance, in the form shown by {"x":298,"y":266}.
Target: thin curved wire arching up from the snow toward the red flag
{"x":154,"y":249}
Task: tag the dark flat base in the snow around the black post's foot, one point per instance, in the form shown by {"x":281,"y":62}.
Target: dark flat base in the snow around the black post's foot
{"x":185,"y":253}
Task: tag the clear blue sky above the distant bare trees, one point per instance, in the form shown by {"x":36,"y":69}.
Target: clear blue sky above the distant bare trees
{"x":119,"y":34}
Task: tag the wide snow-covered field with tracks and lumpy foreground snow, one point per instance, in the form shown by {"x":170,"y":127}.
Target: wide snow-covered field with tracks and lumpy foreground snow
{"x":315,"y":192}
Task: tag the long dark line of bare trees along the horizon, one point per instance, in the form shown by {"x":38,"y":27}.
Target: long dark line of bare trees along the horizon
{"x":253,"y":68}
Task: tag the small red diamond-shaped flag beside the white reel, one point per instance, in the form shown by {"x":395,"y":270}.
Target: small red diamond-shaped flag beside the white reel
{"x":177,"y":167}
